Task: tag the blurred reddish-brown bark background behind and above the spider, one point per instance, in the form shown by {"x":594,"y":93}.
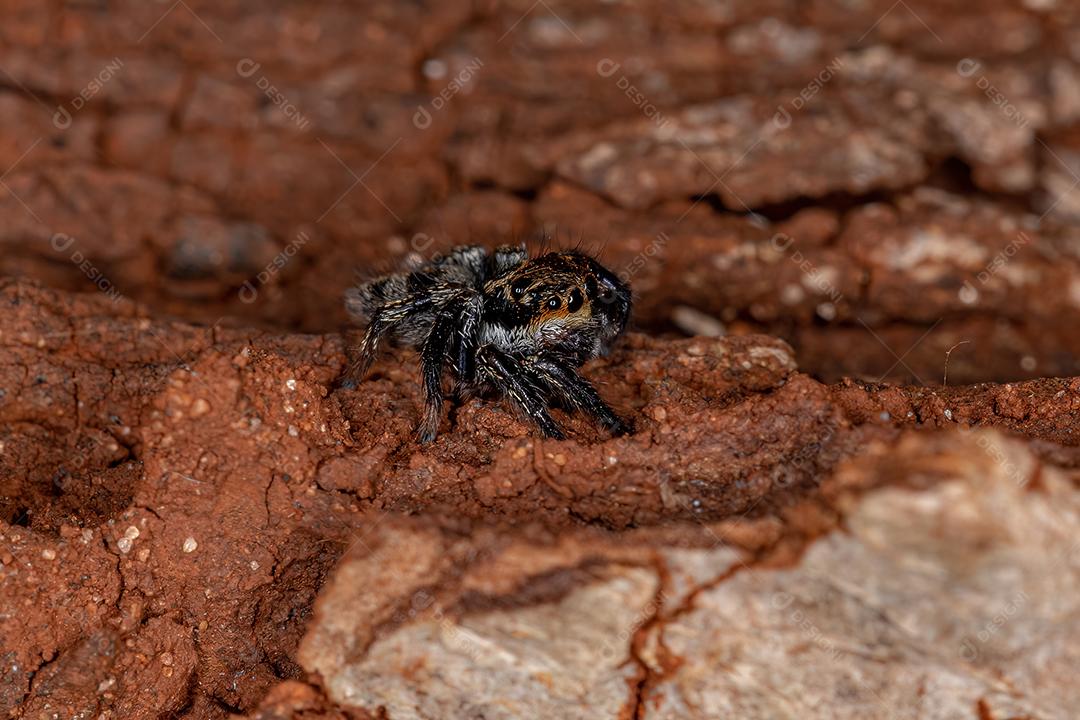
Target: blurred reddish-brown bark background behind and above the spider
{"x":876,"y":182}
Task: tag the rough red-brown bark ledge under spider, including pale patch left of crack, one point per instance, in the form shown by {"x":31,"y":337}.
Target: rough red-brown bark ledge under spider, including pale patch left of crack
{"x":248,"y":477}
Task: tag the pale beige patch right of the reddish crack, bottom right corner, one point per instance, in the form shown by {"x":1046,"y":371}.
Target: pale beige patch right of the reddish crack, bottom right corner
{"x":952,"y":602}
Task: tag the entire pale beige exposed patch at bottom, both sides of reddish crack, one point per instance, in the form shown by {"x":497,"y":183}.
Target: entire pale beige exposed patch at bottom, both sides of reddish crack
{"x":944,"y":601}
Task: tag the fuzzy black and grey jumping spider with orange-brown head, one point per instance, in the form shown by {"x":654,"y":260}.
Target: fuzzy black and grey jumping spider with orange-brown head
{"x":499,"y":321}
